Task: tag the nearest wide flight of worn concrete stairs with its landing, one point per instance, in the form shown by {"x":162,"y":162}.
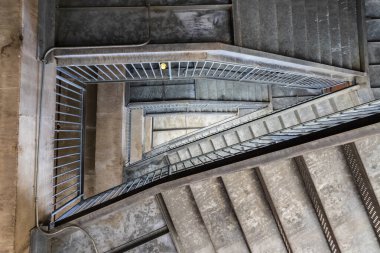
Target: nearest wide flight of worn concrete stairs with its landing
{"x":321,"y":201}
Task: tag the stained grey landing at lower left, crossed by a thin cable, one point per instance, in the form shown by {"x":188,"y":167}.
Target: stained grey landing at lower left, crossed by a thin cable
{"x":114,"y":229}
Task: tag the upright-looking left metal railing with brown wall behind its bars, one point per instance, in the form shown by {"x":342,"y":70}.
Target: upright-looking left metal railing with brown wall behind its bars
{"x":68,"y":145}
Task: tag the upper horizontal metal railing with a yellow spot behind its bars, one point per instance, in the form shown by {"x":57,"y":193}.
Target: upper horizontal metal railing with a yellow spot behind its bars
{"x":195,"y":70}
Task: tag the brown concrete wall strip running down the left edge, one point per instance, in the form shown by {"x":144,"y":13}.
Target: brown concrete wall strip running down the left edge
{"x":10,"y":31}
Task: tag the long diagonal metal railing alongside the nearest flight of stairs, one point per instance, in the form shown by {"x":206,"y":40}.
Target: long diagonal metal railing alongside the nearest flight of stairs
{"x":287,"y":134}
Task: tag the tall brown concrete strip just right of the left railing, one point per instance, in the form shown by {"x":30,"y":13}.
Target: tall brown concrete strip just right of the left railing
{"x":109,"y":126}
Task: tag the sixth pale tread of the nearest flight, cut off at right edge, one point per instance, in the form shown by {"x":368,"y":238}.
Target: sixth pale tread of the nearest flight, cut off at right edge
{"x":369,"y":150}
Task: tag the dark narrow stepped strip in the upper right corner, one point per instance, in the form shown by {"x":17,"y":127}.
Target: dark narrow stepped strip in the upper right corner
{"x":373,"y":36}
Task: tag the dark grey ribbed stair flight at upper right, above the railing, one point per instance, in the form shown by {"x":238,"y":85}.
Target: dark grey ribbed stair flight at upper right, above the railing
{"x":322,"y":31}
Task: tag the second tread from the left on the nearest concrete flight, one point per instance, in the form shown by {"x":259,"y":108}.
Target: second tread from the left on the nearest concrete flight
{"x":218,"y":216}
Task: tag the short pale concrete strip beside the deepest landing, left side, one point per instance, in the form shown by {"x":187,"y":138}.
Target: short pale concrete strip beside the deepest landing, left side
{"x":137,"y":131}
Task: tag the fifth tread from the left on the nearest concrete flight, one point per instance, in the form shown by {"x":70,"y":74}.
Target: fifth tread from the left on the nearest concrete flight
{"x":345,"y":211}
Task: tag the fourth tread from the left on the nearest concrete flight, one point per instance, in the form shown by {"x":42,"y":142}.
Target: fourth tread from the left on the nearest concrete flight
{"x":293,"y":207}
